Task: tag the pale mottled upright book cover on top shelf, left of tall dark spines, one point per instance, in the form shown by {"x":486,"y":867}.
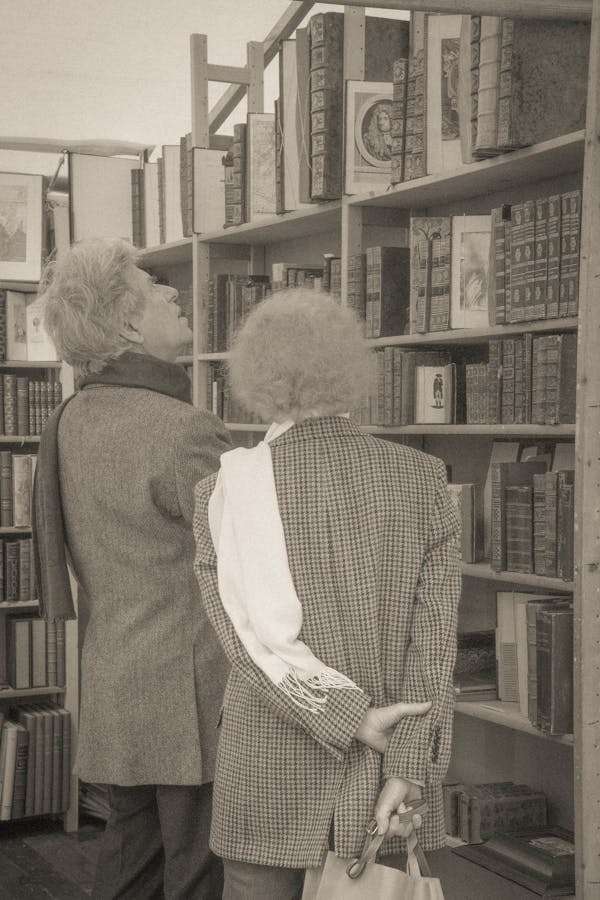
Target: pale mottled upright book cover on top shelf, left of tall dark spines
{"x":260,"y":166}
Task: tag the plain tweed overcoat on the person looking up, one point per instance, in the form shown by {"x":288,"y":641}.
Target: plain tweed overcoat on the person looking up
{"x":152,"y":669}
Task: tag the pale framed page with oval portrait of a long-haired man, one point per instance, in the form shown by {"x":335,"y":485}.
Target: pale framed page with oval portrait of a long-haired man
{"x":368,"y":136}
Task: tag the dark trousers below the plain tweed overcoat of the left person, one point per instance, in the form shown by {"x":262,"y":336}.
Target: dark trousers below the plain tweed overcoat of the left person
{"x":155,"y":845}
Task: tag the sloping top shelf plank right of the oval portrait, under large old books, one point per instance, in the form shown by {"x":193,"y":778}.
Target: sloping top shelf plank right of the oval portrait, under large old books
{"x":547,"y":160}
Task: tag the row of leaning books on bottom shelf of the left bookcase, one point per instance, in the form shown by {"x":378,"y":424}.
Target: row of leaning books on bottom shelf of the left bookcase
{"x":35,"y":761}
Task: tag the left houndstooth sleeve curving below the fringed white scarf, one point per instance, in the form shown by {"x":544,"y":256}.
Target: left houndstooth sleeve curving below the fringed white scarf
{"x":336,"y":723}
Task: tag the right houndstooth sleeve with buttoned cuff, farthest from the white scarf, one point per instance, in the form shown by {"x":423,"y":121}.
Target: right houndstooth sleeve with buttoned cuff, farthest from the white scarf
{"x":419,"y":749}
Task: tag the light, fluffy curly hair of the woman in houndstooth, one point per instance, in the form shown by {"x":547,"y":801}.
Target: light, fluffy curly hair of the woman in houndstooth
{"x":298,"y":355}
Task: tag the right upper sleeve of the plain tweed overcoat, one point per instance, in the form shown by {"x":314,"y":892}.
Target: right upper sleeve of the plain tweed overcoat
{"x":198,"y":448}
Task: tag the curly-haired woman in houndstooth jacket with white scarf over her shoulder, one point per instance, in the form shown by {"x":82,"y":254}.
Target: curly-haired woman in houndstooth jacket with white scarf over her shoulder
{"x":329,"y":563}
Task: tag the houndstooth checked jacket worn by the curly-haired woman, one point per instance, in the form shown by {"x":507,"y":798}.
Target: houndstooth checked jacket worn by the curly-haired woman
{"x":372,"y":541}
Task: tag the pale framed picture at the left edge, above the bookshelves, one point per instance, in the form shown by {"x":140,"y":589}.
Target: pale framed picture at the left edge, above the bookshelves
{"x":21,"y":217}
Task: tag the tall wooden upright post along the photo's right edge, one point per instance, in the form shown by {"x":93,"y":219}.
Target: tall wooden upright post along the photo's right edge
{"x":587,"y":503}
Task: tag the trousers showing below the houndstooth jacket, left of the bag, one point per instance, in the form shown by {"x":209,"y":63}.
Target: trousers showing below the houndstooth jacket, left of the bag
{"x":246,"y":881}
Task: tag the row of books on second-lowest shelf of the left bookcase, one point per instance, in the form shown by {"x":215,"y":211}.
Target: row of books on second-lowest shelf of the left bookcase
{"x":35,"y":652}
